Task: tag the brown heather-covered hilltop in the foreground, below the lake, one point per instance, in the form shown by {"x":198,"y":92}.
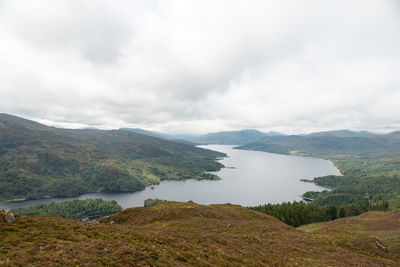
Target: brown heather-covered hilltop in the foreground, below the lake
{"x":181,"y":234}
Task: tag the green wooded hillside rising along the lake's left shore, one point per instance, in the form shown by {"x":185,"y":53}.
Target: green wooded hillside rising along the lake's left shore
{"x":38,"y":161}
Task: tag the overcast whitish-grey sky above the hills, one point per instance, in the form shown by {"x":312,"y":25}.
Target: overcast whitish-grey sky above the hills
{"x":202,"y":66}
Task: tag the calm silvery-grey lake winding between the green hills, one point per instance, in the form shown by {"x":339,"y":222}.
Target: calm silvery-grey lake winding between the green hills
{"x":256,"y":178}
